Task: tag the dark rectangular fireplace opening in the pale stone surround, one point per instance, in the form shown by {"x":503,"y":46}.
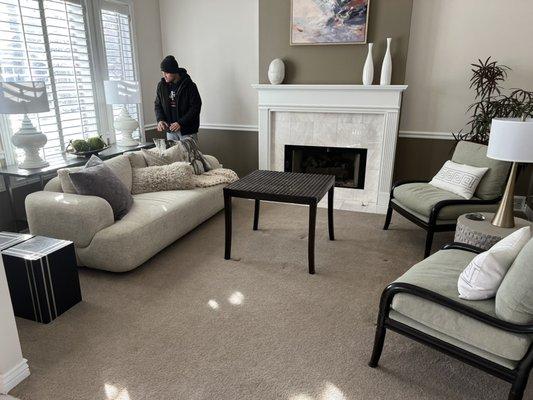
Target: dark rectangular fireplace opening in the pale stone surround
{"x":347,"y":164}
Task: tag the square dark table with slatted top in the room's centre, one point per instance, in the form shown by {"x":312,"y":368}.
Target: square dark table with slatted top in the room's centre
{"x":284,"y":187}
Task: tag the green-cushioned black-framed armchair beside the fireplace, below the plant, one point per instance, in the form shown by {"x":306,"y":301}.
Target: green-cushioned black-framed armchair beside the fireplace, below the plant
{"x":437,"y":210}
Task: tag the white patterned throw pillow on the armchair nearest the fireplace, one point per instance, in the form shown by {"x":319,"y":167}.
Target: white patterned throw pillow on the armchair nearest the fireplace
{"x":460,"y":179}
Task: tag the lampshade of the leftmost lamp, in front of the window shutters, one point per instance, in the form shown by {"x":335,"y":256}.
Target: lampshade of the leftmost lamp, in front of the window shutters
{"x":23,"y":98}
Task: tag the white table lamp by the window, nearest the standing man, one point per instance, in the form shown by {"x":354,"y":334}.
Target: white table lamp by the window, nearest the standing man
{"x":124,"y":92}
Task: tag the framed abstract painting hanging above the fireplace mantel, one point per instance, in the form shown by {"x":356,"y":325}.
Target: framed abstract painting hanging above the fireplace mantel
{"x":329,"y":21}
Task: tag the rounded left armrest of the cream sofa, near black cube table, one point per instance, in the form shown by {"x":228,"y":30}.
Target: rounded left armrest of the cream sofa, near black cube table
{"x":68,"y":216}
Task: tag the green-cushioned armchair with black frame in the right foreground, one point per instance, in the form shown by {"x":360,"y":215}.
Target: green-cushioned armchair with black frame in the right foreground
{"x":424,"y":305}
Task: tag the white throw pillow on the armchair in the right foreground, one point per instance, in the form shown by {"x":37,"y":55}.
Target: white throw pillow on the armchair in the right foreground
{"x":482,"y":277}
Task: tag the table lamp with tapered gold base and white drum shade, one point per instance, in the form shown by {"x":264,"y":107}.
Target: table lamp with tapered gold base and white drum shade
{"x":511,"y":139}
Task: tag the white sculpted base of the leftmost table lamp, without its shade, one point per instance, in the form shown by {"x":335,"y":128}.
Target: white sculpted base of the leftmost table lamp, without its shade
{"x":30,"y":140}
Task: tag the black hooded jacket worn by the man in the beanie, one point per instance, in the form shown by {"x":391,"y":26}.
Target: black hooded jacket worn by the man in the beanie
{"x":188,"y":103}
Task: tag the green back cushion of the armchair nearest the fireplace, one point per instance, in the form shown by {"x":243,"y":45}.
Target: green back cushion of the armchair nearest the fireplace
{"x":493,"y":182}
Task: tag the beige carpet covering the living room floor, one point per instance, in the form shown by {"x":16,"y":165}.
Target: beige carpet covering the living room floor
{"x":190,"y":325}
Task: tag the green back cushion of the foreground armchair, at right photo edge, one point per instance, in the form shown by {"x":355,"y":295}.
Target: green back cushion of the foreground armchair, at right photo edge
{"x":514,"y":299}
